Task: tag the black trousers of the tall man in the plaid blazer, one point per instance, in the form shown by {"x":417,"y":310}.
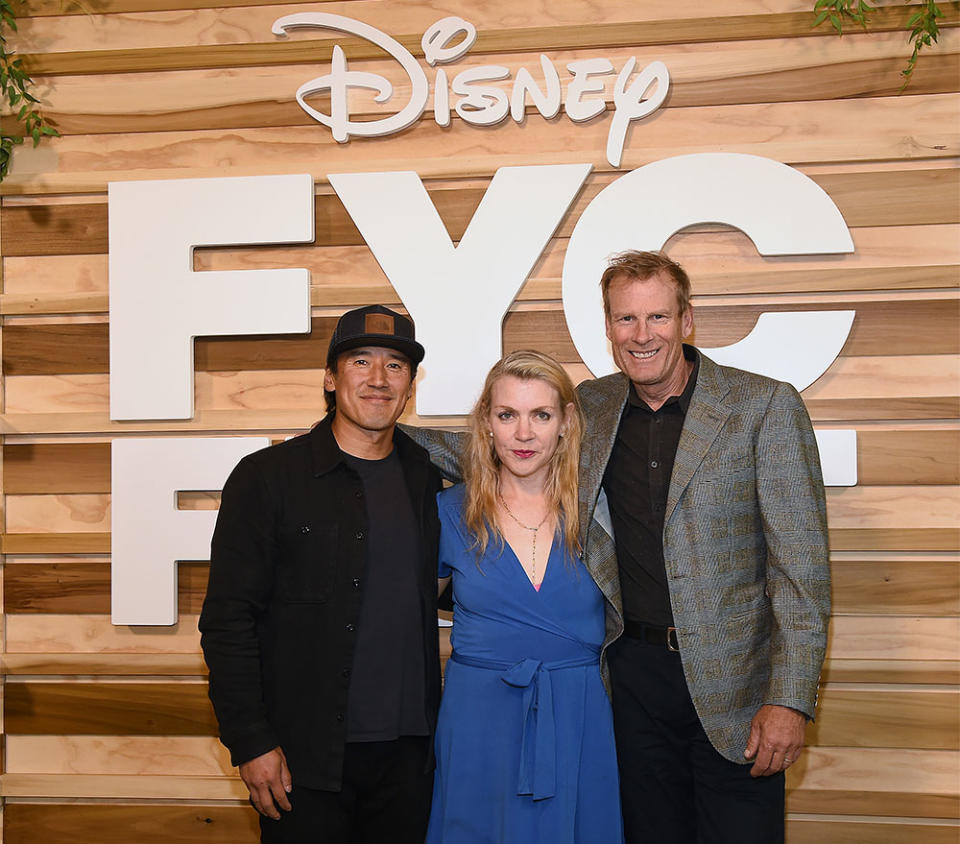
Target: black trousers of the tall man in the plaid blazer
{"x":674,"y":786}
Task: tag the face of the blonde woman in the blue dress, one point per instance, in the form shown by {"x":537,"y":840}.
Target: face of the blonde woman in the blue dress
{"x":526,"y":421}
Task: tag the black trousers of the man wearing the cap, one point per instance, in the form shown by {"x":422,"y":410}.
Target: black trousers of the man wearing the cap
{"x":385,"y":798}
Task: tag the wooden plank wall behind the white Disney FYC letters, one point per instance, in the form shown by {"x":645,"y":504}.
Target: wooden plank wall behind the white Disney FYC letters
{"x":108,"y":735}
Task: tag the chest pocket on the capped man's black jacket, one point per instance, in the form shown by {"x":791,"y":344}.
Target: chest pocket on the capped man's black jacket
{"x":307,"y":564}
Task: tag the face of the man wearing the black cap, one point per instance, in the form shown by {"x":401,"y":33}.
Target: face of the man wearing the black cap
{"x":373,"y":385}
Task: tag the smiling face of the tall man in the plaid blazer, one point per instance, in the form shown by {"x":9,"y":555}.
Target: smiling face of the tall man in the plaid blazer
{"x":646,"y":329}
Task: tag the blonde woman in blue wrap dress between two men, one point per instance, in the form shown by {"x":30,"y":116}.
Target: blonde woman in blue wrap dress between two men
{"x":525,"y":747}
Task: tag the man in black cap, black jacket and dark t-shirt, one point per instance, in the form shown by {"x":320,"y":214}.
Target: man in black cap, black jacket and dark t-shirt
{"x":319,"y":625}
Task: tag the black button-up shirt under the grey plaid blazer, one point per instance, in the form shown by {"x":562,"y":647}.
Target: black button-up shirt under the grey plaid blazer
{"x":637,"y":481}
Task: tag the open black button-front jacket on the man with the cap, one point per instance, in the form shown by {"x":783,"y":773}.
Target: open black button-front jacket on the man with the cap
{"x":283,"y":601}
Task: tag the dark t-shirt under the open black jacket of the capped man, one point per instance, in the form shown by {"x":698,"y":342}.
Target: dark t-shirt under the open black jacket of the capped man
{"x":386,"y":697}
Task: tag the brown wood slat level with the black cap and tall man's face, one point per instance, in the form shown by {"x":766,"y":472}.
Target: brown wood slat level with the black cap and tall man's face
{"x":879,"y":328}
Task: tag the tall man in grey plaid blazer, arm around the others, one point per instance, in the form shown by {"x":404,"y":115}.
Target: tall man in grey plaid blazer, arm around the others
{"x":703,"y":509}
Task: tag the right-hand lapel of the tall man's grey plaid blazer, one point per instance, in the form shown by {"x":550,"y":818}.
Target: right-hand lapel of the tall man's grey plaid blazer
{"x":704,"y":420}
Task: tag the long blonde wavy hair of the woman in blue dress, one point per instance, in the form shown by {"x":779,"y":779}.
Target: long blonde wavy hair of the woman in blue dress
{"x":482,"y":466}
